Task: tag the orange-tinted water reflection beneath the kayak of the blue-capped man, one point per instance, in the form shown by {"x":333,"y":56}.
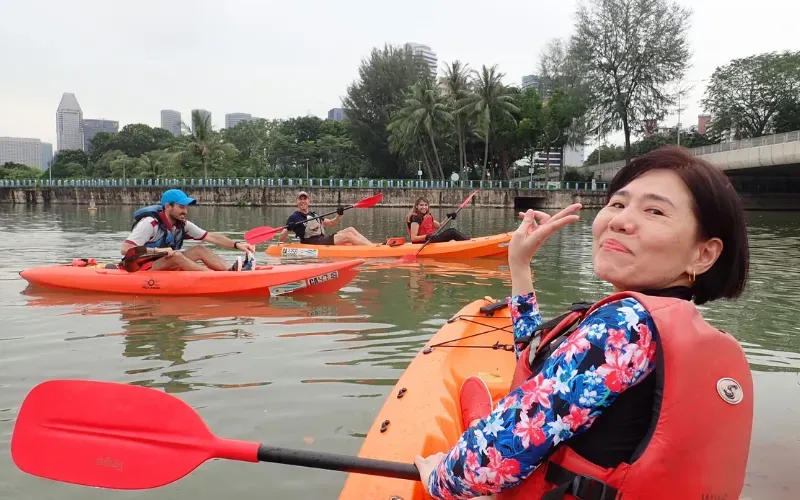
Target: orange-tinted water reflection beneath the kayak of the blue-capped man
{"x":159,"y":329}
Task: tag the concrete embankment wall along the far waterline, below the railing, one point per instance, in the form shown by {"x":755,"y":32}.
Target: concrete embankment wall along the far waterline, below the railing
{"x":281,"y":196}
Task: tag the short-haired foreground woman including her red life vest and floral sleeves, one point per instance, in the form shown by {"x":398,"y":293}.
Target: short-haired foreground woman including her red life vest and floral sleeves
{"x":643,"y":399}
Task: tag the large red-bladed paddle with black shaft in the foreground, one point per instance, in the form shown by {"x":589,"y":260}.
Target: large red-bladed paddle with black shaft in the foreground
{"x":120,"y":436}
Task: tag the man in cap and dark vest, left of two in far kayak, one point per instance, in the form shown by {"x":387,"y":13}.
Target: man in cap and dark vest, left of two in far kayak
{"x":312,"y":232}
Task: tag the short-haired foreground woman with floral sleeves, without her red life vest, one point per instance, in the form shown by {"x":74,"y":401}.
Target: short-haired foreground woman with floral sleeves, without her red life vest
{"x":672,"y":226}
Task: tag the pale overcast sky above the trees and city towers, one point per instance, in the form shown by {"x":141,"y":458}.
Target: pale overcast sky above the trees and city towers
{"x":128,"y":61}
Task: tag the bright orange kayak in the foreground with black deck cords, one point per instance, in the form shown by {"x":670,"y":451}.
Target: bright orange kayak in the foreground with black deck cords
{"x":426,"y":418}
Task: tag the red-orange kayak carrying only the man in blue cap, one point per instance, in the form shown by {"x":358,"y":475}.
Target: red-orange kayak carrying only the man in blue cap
{"x":263,"y":280}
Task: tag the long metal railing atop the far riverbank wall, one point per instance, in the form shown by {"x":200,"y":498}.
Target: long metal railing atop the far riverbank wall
{"x":299,"y":183}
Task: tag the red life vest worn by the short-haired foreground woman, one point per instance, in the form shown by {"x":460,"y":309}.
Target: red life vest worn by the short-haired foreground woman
{"x":697,"y":448}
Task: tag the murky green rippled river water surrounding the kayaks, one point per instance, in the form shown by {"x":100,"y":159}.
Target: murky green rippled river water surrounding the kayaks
{"x":312,"y":372}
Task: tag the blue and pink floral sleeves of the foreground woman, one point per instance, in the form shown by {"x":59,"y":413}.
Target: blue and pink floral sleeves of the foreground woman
{"x":611,"y":350}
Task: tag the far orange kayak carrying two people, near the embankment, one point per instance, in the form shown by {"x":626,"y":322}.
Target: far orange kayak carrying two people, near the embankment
{"x":484,"y":246}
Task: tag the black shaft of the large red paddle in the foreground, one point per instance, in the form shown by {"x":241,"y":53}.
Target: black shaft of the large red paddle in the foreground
{"x":331,"y":461}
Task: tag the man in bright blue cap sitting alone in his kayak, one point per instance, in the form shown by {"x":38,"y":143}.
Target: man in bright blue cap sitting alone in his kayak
{"x":164,"y":228}
